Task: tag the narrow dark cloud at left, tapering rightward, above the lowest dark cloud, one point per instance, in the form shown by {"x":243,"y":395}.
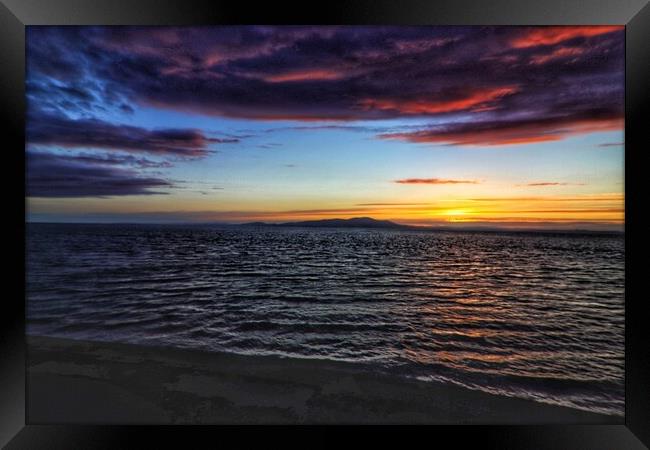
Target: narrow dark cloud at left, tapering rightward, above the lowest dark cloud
{"x":50,"y":130}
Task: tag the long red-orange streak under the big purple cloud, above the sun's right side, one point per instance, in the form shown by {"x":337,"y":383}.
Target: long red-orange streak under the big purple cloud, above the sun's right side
{"x":469,"y":100}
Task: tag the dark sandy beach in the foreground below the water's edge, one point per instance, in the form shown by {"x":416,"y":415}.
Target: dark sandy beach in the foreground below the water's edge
{"x":91,"y":382}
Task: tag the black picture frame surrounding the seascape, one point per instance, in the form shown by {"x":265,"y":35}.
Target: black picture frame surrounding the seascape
{"x":15,"y":432}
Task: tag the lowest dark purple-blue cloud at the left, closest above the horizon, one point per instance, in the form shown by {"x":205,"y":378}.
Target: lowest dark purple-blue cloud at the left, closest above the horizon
{"x":51,"y":175}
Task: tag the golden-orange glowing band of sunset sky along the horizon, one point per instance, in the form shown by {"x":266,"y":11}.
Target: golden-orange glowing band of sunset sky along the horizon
{"x":592,"y":208}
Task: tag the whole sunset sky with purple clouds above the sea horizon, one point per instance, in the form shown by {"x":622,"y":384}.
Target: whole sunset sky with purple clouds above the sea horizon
{"x":505,"y":126}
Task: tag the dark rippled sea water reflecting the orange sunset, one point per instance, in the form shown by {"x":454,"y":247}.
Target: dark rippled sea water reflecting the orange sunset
{"x":538,"y":316}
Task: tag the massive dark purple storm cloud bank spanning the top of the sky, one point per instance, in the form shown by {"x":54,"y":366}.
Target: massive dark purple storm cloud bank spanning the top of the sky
{"x":499,"y":77}
